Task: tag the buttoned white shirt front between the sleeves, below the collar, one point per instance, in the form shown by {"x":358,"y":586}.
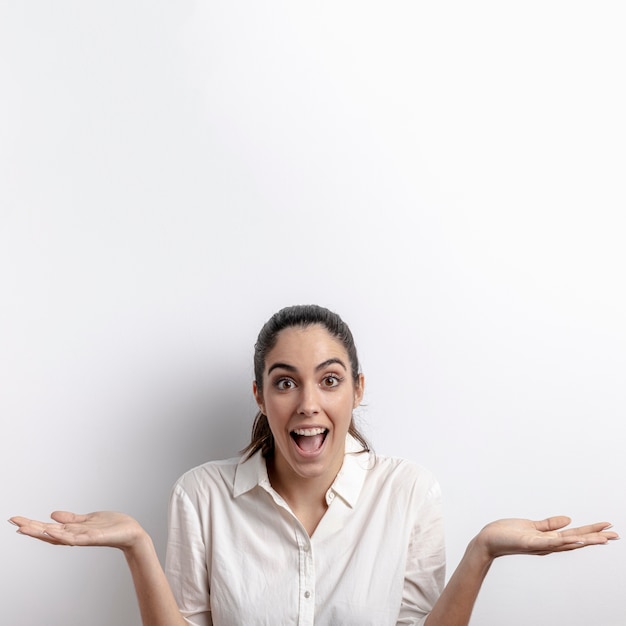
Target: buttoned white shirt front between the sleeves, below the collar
{"x":265,"y":569}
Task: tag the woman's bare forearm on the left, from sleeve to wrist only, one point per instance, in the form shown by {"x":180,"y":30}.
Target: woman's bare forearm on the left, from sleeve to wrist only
{"x":156,"y":601}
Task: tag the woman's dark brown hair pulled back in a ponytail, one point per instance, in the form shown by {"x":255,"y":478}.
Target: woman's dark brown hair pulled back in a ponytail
{"x":301,"y":315}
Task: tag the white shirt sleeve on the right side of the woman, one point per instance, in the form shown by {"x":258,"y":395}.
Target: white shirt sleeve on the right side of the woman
{"x":426,"y":562}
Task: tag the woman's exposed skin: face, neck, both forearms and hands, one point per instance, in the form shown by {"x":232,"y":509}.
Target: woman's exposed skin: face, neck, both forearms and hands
{"x":303,"y":394}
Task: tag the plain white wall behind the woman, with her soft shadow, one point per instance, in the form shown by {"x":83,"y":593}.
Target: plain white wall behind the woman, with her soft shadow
{"x":448,"y":176}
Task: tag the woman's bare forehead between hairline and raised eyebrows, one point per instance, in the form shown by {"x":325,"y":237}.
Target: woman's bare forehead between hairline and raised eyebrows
{"x":309,"y":345}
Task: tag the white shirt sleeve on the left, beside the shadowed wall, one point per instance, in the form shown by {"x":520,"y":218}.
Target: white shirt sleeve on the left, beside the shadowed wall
{"x":186,"y":560}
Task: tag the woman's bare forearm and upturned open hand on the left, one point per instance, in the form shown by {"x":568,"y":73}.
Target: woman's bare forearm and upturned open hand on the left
{"x":156,"y":602}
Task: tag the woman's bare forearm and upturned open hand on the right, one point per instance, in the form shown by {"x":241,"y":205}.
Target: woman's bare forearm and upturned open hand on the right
{"x":454,"y":606}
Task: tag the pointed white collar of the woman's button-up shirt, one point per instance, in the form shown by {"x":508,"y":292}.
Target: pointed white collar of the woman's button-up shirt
{"x":252,"y":472}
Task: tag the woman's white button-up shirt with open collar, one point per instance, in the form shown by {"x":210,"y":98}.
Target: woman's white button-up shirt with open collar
{"x":238,"y":556}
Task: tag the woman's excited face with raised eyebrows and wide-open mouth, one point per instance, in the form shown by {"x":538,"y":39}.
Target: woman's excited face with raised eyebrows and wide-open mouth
{"x":308,"y":396}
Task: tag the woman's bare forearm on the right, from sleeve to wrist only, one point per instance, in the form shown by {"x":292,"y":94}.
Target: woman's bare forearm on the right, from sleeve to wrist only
{"x":454,"y":606}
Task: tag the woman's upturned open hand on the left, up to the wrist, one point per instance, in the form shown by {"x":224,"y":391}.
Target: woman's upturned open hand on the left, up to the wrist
{"x":103,"y":528}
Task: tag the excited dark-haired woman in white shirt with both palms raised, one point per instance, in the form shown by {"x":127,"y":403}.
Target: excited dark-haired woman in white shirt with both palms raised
{"x":309,"y":526}
